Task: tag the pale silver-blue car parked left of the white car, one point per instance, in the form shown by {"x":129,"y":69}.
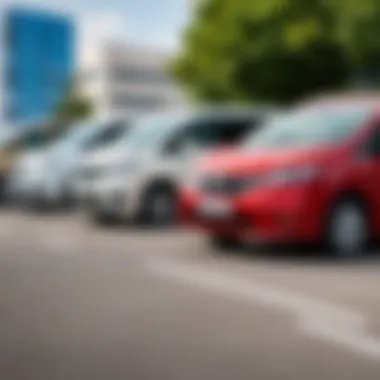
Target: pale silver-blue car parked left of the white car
{"x":44,"y":176}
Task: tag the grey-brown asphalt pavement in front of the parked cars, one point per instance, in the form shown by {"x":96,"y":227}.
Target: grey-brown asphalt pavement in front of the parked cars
{"x":84,"y":303}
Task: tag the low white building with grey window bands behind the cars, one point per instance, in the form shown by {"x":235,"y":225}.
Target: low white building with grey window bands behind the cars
{"x":124,"y":80}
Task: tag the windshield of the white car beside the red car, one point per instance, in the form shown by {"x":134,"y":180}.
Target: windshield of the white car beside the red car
{"x":150,"y":132}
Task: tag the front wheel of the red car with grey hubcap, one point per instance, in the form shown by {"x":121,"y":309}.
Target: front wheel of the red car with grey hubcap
{"x":348,"y":229}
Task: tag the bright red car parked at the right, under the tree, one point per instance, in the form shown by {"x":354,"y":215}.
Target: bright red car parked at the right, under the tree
{"x":311,"y":175}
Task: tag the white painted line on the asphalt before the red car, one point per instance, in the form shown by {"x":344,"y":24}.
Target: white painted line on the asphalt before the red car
{"x":316,"y":318}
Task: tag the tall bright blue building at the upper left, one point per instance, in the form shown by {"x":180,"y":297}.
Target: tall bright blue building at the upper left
{"x":38,"y":50}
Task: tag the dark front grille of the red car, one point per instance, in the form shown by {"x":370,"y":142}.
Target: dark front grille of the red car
{"x":223,"y":185}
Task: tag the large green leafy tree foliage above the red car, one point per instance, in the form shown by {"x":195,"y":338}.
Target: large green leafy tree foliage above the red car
{"x":276,"y":50}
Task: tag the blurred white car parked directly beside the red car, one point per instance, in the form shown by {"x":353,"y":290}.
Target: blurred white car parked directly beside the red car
{"x":140,"y":181}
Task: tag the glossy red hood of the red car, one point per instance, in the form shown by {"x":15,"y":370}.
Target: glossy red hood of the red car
{"x":244,"y":162}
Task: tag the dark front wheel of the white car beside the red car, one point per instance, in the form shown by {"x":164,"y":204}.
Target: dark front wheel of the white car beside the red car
{"x":159,"y":206}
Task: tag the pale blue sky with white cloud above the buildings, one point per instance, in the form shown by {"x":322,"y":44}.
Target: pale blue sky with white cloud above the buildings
{"x":156,"y":23}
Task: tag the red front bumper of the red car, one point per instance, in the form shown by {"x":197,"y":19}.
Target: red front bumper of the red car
{"x":275,"y":215}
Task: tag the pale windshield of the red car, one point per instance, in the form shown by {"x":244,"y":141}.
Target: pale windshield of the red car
{"x":313,"y":127}
